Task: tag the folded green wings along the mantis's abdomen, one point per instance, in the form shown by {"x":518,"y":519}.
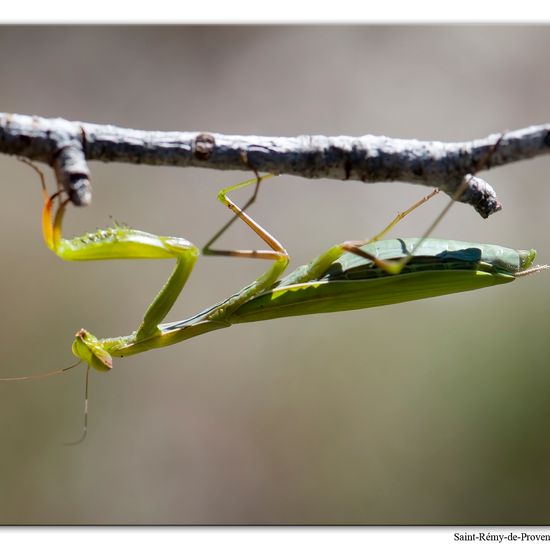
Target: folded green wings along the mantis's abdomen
{"x":438,"y":267}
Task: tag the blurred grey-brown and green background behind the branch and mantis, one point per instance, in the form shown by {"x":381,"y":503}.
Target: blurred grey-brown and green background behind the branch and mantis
{"x":431,"y":412}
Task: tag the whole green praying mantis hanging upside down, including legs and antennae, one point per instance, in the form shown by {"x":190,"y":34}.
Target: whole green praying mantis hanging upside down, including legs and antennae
{"x":350,"y":275}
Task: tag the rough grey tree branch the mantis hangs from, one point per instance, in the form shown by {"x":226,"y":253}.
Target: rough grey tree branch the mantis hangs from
{"x":66,"y":146}
